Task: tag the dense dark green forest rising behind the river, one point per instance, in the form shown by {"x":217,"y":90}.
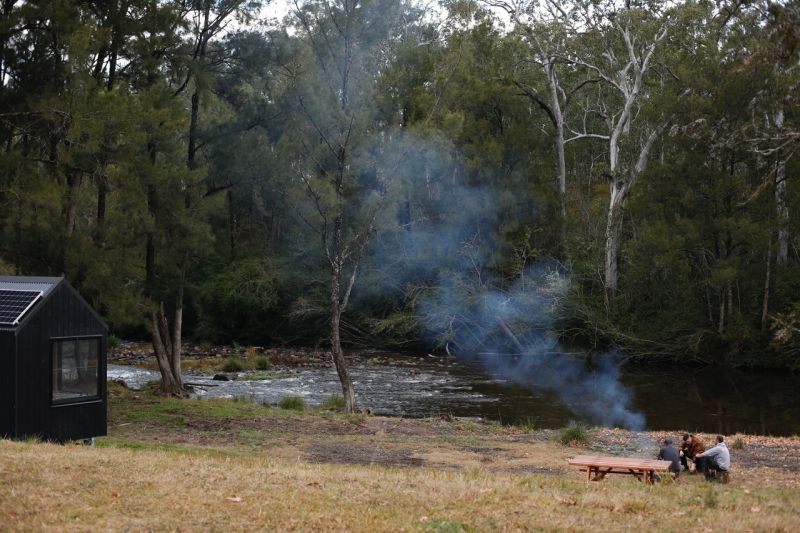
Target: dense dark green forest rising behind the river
{"x":480,"y":176}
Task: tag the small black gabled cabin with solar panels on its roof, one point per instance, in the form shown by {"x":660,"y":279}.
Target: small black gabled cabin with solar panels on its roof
{"x":52,"y":361}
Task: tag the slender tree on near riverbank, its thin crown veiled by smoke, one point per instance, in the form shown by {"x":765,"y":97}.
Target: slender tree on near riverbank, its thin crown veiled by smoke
{"x":347,"y":45}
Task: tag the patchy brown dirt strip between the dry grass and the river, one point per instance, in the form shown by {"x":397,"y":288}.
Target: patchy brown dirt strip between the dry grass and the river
{"x":434,"y":443}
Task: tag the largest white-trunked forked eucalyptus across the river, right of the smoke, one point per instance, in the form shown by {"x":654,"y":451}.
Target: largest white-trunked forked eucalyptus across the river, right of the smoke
{"x":620,"y":44}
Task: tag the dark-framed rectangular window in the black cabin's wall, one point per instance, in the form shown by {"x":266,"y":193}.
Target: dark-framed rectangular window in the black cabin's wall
{"x":75,"y":368}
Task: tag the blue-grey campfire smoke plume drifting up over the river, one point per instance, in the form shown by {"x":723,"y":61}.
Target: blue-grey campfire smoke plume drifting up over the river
{"x":445,"y":252}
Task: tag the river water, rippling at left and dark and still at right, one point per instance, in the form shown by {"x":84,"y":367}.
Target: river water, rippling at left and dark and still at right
{"x":670,"y":398}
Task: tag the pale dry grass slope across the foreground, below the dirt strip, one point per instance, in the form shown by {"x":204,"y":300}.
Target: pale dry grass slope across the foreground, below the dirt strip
{"x":54,"y":488}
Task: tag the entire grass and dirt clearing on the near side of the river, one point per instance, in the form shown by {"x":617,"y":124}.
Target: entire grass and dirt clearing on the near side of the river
{"x":188,"y":465}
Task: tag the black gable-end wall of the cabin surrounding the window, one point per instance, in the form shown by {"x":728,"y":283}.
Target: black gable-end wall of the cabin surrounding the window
{"x":63,"y":314}
